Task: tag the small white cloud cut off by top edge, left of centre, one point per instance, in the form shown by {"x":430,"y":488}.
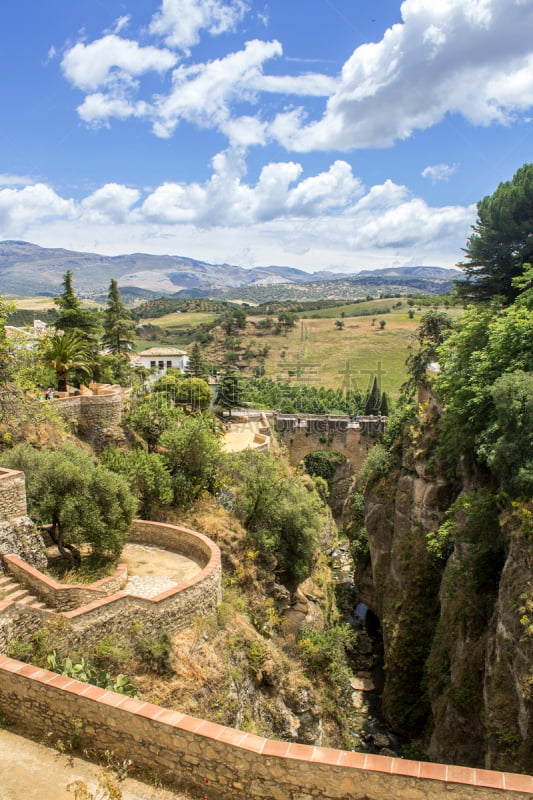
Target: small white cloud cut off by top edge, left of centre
{"x":181,"y":21}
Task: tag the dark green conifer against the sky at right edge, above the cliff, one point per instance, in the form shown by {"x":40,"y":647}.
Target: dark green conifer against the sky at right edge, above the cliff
{"x":502,"y":242}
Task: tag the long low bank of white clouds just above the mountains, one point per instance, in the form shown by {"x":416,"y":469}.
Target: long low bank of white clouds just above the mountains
{"x":327,"y":220}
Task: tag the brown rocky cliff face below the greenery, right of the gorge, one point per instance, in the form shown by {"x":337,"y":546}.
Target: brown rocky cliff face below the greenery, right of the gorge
{"x":457,"y":625}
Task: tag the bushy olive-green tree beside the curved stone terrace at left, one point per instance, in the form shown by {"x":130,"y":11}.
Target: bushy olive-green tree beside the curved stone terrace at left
{"x":82,"y":503}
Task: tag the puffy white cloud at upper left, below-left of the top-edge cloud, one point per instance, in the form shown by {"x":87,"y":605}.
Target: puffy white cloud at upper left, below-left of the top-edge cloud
{"x":95,"y":65}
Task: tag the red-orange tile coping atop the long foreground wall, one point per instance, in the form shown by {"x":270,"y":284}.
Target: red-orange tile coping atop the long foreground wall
{"x":270,"y":748}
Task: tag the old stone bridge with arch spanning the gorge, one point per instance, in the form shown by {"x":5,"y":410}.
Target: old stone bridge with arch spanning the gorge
{"x":353,"y":437}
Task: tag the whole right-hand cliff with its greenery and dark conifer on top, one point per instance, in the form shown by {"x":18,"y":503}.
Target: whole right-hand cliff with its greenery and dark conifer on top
{"x":448,"y":511}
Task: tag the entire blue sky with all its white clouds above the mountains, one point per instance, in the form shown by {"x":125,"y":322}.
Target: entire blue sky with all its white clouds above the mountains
{"x":320,"y":134}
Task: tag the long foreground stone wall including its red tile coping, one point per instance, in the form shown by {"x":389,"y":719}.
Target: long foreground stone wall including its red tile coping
{"x":210,"y":760}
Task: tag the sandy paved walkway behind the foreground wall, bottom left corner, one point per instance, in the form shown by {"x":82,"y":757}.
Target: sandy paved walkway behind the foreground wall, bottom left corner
{"x":31,"y":771}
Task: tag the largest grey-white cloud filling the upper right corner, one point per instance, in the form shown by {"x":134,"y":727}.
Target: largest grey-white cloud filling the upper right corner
{"x":473,"y":57}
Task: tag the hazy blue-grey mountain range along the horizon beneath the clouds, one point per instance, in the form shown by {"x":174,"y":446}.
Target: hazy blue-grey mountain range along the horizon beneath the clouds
{"x":27,"y":269}
